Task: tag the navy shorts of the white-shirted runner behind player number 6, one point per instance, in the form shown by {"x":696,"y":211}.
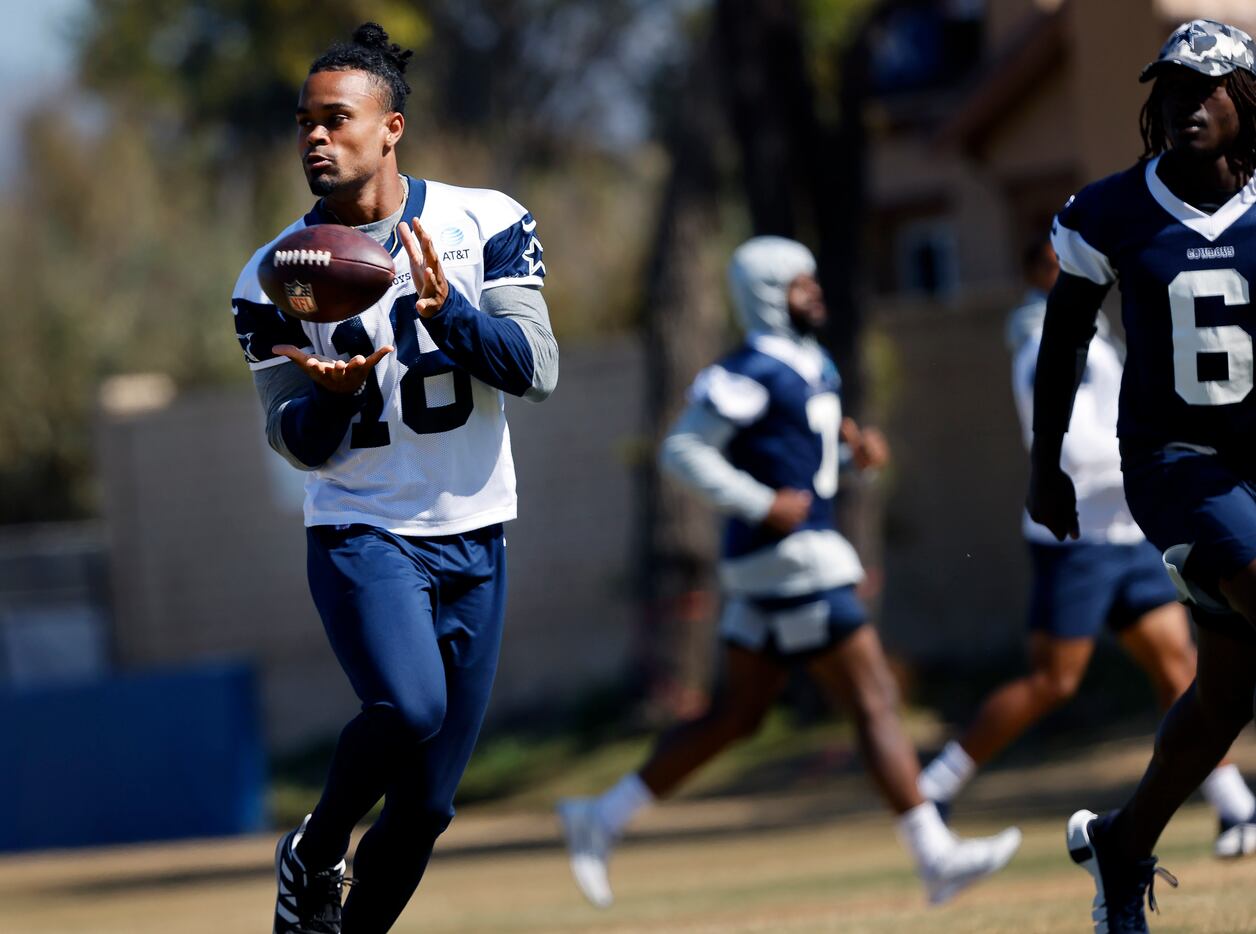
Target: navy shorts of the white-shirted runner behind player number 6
{"x":1080,"y":588}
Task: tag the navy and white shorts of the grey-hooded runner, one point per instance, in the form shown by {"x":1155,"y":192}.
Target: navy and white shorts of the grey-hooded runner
{"x":793,"y":626}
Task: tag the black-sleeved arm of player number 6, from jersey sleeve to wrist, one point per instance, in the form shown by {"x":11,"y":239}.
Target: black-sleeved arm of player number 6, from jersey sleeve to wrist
{"x":1068,"y":328}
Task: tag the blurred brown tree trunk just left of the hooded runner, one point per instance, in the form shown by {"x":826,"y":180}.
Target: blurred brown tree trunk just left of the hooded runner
{"x":684,"y":332}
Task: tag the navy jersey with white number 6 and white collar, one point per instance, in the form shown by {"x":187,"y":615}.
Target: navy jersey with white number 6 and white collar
{"x":1186,"y":304}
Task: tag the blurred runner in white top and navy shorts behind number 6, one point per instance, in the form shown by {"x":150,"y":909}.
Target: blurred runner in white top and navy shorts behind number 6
{"x":1110,"y":576}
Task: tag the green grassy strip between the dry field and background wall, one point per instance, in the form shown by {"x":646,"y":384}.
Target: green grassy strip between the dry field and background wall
{"x":587,"y":748}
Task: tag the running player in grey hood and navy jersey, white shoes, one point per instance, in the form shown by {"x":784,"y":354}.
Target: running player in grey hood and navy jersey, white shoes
{"x":761,"y":443}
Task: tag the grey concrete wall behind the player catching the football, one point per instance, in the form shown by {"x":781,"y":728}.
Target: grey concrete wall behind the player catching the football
{"x":209,"y":552}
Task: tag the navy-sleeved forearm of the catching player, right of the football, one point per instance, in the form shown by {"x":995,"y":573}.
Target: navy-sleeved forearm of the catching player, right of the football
{"x":495,"y":351}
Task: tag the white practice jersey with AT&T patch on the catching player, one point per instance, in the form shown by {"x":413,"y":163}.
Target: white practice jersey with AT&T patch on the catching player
{"x":430,"y":453}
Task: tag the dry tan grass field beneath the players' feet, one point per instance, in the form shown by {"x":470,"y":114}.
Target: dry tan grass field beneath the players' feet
{"x":820,"y":858}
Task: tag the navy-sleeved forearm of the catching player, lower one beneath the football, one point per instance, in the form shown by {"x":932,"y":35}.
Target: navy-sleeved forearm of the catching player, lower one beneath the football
{"x":305,"y":424}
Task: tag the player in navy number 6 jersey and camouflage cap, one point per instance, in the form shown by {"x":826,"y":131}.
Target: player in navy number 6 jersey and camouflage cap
{"x":1179,"y":232}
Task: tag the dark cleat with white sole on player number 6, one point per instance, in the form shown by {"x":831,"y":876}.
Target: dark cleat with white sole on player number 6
{"x":1121,"y":888}
